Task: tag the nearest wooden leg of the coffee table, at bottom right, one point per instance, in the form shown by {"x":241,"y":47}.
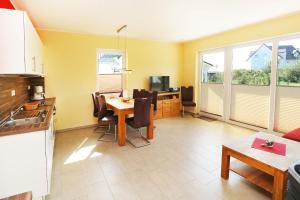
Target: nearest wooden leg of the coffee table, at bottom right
{"x":279,"y":185}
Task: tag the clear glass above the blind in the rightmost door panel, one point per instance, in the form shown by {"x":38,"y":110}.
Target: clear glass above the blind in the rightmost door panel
{"x":289,"y":63}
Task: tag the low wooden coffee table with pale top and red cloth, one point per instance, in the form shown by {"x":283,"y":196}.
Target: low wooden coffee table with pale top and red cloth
{"x":266,"y":170}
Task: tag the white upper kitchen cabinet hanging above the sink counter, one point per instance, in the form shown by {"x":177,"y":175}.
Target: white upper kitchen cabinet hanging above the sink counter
{"x":20,"y":46}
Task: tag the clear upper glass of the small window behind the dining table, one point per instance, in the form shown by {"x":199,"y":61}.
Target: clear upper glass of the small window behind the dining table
{"x":109,"y":63}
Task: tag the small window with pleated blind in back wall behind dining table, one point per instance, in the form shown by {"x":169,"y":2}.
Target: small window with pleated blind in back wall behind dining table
{"x":109,"y":65}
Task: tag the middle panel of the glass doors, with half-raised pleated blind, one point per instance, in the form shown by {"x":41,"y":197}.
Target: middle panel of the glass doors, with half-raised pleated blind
{"x":250,"y":86}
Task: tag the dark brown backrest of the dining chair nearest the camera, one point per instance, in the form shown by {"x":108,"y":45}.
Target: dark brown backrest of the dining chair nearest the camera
{"x":142,"y":108}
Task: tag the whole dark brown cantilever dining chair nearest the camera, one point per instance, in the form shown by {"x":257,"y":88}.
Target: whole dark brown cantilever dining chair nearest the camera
{"x":141,"y":118}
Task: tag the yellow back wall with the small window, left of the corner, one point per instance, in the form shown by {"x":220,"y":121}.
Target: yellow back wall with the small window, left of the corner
{"x":70,"y":68}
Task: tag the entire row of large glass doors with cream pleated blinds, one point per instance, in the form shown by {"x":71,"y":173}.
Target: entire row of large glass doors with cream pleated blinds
{"x":256,"y":85}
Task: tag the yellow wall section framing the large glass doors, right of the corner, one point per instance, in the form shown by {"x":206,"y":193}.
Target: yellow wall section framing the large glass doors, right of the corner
{"x":267,"y":29}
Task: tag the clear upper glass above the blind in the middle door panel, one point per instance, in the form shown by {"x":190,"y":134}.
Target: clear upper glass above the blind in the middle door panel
{"x":252,"y":65}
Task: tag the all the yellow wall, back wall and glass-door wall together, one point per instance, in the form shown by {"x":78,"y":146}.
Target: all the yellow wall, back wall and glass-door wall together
{"x":70,"y":63}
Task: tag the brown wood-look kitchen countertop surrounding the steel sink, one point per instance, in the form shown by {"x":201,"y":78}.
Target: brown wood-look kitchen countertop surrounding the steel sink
{"x":48,"y":106}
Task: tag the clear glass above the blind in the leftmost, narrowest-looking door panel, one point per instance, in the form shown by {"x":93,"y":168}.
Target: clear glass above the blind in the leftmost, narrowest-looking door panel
{"x":213,"y":68}
